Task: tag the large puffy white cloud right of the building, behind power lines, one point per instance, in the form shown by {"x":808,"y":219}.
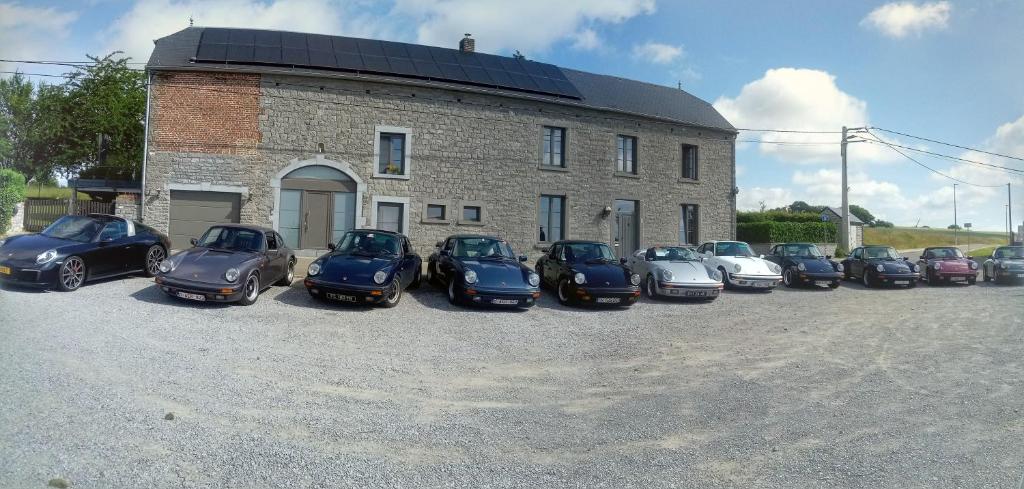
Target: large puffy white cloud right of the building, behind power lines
{"x":801,"y":100}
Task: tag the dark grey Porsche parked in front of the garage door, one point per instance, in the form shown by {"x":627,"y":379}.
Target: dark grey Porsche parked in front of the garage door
{"x":230,"y":263}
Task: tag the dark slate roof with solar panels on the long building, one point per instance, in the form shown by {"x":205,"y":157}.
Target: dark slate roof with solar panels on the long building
{"x":547,"y":82}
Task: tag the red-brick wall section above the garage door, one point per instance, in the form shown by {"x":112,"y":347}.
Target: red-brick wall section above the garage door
{"x":216,"y":114}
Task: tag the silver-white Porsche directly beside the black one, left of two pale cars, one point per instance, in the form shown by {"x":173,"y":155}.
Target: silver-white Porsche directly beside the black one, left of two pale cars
{"x":675,"y":272}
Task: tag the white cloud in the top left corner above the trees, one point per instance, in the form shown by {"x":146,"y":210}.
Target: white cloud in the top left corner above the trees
{"x":31,"y":33}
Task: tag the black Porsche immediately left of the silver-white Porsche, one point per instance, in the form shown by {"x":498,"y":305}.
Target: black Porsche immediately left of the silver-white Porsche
{"x":587,"y":273}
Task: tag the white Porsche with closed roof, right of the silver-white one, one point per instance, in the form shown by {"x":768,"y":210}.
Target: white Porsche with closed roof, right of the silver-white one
{"x":740,"y":266}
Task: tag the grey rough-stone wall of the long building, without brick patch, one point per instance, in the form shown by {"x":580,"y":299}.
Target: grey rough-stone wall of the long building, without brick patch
{"x":464,"y":148}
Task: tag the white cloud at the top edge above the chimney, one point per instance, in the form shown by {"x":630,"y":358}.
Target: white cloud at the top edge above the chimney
{"x":528,"y":26}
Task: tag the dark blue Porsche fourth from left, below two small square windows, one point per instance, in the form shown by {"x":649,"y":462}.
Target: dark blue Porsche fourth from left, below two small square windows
{"x":483,"y":271}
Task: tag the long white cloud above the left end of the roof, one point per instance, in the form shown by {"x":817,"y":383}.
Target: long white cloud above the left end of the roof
{"x":135,"y":31}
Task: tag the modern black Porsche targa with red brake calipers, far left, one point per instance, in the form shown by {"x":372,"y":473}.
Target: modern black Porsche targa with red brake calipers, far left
{"x":78,"y":249}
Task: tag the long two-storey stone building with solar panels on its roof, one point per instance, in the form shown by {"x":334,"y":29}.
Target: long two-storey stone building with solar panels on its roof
{"x":314,"y":136}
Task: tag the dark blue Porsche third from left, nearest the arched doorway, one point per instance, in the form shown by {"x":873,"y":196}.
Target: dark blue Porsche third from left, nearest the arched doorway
{"x":368,"y":266}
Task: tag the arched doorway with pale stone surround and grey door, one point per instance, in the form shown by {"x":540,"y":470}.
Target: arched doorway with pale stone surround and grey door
{"x":317,"y":201}
